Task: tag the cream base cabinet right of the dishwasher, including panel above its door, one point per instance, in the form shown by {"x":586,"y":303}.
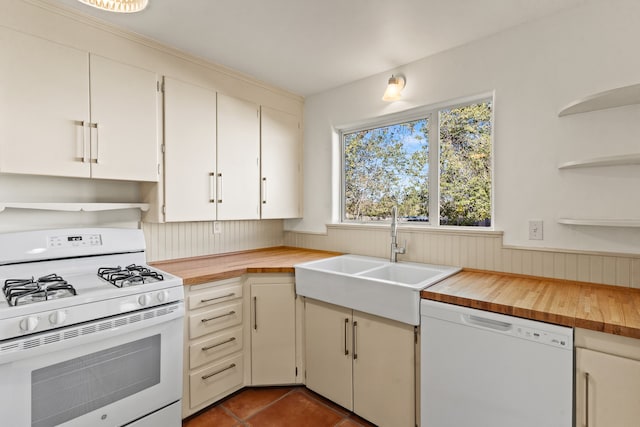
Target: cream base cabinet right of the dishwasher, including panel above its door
{"x":607,"y":380}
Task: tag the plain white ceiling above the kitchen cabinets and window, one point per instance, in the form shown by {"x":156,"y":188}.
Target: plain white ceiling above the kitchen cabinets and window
{"x":308,"y":46}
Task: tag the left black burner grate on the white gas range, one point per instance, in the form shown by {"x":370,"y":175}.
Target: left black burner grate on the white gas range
{"x":28,"y":291}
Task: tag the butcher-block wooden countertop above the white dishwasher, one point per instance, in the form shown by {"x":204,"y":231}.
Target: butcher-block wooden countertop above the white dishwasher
{"x":611,"y":309}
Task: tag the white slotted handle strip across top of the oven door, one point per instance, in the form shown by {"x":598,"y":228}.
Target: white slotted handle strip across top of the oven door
{"x":79,"y":335}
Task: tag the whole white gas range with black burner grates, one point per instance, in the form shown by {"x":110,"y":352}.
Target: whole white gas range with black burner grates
{"x":89,"y":334}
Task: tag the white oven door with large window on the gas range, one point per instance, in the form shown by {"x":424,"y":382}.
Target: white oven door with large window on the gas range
{"x":111,"y":372}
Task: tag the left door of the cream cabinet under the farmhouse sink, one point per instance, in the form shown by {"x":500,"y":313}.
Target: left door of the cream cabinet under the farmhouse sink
{"x":328,"y":351}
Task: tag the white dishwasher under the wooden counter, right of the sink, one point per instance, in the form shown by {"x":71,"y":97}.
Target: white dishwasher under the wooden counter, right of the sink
{"x":484,"y":369}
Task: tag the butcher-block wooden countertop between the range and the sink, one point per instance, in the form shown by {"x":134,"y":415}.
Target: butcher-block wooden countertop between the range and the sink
{"x":194,"y":271}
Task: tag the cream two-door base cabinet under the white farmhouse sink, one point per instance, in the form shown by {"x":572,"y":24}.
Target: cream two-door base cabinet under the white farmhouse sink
{"x":362,"y":362}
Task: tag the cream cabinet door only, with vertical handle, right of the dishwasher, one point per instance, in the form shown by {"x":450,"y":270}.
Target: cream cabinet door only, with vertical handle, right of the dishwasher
{"x":613,"y":393}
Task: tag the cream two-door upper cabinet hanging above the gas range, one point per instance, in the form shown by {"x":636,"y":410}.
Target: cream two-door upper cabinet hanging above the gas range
{"x":65,"y":112}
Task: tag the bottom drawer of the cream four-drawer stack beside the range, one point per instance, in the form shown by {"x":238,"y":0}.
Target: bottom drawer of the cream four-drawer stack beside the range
{"x":206,"y":384}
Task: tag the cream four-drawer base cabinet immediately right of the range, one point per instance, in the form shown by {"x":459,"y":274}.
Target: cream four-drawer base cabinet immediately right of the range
{"x":214,"y":347}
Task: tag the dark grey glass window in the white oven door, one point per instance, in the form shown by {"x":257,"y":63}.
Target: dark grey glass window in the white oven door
{"x":69,"y":389}
